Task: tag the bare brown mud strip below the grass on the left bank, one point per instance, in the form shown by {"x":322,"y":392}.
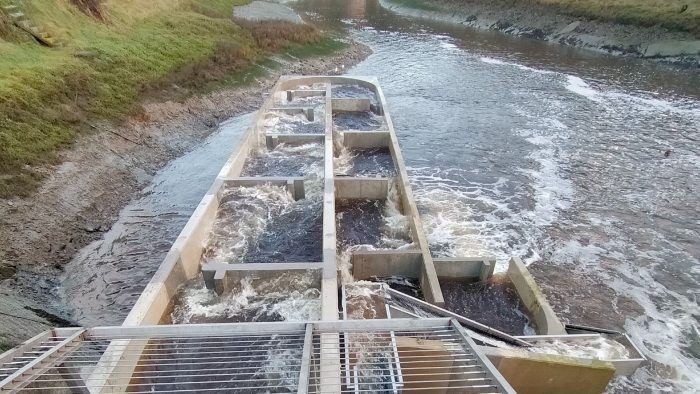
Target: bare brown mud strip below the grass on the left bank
{"x":81,"y":198}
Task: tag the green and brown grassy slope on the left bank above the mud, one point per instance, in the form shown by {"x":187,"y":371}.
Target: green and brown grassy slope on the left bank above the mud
{"x":114,"y":54}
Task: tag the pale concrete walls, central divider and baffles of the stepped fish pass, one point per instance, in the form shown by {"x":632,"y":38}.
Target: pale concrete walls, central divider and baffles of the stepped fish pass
{"x":183,"y":261}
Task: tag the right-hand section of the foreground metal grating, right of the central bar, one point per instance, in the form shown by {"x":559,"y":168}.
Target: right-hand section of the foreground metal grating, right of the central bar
{"x":428,"y":359}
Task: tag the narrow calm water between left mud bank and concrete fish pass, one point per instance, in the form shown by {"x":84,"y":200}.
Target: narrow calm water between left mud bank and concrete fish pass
{"x":104,"y":279}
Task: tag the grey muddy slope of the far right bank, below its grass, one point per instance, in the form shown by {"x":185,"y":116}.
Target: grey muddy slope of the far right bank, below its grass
{"x":543,"y":23}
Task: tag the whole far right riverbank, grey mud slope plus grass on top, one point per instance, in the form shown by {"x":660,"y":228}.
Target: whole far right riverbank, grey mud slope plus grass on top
{"x":645,"y":35}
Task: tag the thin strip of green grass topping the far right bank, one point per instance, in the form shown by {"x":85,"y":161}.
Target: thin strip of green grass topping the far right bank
{"x":680,"y":15}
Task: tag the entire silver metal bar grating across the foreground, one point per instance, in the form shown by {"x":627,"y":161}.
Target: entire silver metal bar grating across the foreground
{"x":390,"y":356}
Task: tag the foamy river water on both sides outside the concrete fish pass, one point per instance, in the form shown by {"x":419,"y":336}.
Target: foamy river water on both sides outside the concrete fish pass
{"x":584,"y":165}
